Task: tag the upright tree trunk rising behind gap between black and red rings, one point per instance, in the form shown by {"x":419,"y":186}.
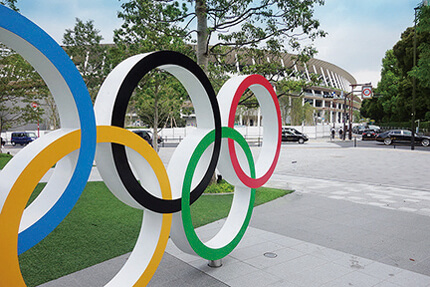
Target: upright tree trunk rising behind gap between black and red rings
{"x":202,"y":34}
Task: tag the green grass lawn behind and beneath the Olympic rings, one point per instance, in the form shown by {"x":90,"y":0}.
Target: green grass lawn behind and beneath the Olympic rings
{"x":101,"y":227}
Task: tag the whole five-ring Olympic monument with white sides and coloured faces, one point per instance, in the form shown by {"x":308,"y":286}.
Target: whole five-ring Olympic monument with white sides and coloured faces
{"x":128,"y":165}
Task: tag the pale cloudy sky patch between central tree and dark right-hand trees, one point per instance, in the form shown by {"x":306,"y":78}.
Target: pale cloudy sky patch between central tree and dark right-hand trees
{"x":360,"y":32}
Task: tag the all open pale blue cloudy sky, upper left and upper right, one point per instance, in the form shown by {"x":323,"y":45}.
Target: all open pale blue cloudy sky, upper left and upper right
{"x":359,"y":31}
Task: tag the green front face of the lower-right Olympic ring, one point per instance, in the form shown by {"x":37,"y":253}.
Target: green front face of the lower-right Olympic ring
{"x":196,"y":244}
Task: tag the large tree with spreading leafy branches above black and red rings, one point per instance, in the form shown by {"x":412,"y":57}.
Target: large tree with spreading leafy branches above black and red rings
{"x":243,"y":26}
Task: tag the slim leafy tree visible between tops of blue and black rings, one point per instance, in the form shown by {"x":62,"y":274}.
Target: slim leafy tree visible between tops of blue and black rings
{"x":82,"y":44}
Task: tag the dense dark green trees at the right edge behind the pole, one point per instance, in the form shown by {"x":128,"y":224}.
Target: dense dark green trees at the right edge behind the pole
{"x":393,"y":101}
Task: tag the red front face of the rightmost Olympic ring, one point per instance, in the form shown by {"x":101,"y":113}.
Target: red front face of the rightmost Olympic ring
{"x":245,"y":84}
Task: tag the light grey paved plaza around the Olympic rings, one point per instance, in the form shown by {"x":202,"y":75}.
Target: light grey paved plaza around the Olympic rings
{"x":358,"y":217}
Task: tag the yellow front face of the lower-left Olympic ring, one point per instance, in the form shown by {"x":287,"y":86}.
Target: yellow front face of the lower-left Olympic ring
{"x":11,"y":213}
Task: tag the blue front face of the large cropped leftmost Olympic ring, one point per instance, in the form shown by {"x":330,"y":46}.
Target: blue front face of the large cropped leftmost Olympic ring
{"x":39,"y":39}
